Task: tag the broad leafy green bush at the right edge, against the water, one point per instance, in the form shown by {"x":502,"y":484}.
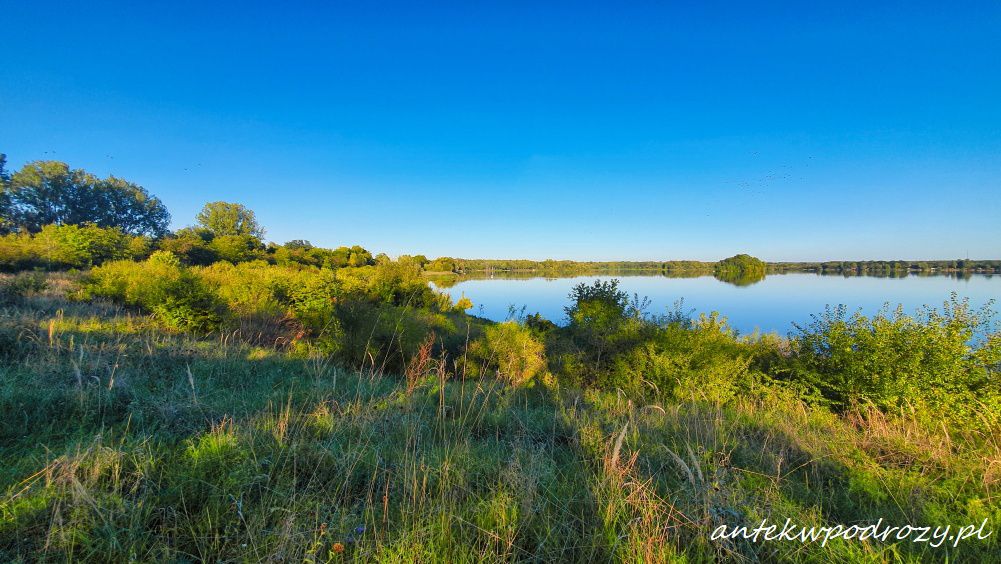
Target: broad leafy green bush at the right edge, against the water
{"x":945,"y":361}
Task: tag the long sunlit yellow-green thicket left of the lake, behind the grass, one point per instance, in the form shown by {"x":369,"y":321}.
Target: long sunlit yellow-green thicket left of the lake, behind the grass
{"x":374,"y":316}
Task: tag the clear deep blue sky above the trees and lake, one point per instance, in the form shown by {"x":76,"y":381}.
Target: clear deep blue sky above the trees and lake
{"x":791,"y":132}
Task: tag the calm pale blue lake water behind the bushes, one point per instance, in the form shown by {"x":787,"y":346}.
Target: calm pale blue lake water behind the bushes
{"x":772,"y":305}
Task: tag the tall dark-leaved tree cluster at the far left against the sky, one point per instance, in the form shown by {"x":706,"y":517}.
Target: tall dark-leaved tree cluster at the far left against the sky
{"x":51,"y":193}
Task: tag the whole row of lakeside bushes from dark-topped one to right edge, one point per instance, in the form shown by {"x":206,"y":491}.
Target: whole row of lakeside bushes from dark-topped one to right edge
{"x":938,"y":365}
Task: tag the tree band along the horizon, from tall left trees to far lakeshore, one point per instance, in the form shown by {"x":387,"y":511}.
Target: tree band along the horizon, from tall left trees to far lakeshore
{"x":57,"y":218}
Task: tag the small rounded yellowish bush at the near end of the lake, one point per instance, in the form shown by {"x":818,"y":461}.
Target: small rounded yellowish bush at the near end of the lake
{"x":512,"y":350}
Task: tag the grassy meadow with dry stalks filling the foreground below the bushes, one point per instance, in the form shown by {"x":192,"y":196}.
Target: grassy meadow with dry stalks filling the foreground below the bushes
{"x":122,"y":440}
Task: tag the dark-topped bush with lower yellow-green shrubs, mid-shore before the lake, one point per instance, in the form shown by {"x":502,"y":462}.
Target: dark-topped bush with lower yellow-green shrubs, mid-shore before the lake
{"x":611,"y":344}
